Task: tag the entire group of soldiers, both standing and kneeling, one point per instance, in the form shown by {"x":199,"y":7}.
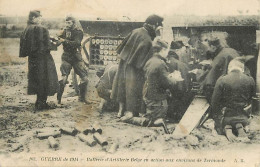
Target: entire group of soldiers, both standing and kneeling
{"x":153,"y":80}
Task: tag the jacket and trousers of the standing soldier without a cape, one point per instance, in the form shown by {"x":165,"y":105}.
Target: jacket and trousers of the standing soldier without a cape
{"x":71,"y":56}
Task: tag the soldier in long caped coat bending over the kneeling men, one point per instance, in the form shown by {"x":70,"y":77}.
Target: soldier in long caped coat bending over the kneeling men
{"x":134,"y":52}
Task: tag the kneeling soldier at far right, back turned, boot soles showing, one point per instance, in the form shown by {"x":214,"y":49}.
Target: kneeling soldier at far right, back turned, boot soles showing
{"x":231,"y":100}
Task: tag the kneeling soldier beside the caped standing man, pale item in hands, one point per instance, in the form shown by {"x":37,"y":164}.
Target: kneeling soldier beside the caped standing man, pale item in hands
{"x":157,"y":82}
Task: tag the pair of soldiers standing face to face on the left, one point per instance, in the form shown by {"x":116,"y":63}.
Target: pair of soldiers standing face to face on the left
{"x":36,"y":43}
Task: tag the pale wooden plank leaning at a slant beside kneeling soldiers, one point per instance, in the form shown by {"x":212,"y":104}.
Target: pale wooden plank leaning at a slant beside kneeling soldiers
{"x":192,"y":117}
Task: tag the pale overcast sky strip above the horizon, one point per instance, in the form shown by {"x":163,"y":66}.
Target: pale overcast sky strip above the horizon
{"x":135,"y":9}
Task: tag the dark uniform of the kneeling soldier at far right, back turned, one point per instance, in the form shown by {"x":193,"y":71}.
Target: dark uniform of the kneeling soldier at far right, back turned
{"x":232,"y":93}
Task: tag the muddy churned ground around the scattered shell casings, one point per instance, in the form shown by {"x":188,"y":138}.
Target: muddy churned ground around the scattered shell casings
{"x":19,"y":122}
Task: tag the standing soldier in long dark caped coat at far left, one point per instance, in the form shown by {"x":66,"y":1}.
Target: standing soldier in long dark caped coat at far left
{"x":42,"y":75}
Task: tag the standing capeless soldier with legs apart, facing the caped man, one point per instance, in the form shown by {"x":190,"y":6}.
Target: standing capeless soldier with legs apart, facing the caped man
{"x":71,"y":38}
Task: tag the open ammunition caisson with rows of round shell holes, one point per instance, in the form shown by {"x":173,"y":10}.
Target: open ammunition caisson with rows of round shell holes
{"x":101,"y":39}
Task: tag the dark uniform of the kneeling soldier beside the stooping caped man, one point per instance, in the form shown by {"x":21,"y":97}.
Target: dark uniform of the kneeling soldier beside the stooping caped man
{"x":154,"y":91}
